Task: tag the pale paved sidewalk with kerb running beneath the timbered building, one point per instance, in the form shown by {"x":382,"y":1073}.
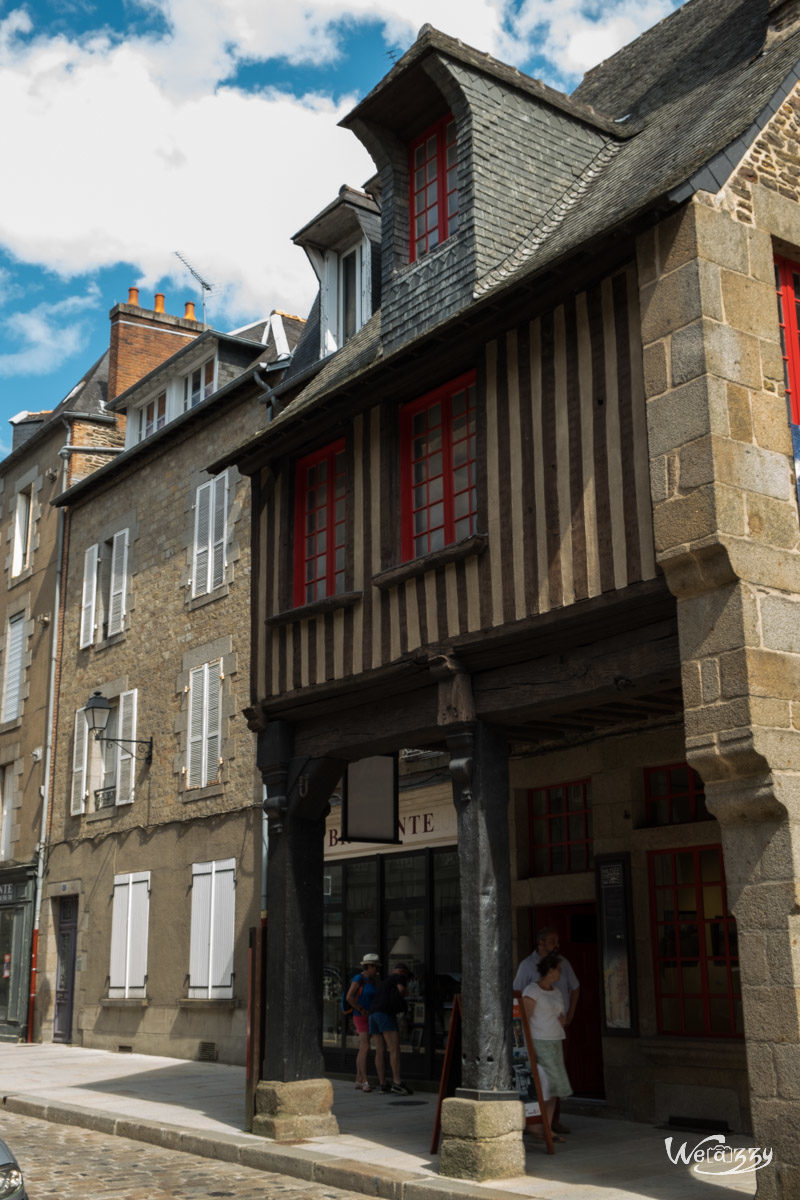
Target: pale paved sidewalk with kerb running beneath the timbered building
{"x":382,"y":1149}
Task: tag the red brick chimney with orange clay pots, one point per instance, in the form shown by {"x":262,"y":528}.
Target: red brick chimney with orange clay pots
{"x":142,"y":339}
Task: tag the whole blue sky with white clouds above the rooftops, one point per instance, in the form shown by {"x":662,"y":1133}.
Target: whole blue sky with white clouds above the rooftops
{"x":140,"y":129}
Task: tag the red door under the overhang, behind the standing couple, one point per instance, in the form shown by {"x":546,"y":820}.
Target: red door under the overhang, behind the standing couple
{"x":578,"y":929}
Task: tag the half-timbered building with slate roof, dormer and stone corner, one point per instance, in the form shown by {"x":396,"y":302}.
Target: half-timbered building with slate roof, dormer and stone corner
{"x":540,"y":513}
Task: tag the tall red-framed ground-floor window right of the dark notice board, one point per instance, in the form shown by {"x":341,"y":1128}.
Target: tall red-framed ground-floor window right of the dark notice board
{"x":696,"y":955}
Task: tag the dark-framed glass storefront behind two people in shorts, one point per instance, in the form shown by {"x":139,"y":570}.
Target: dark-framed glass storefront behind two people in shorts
{"x":407,"y":909}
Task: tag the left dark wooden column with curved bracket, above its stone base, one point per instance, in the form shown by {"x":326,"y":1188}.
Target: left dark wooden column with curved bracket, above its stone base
{"x":297,"y":806}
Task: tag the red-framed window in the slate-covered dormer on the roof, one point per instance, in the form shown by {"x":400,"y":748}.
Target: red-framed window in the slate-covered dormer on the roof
{"x":434,"y":187}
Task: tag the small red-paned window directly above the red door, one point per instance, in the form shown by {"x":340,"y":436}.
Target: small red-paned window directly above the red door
{"x":560,"y":827}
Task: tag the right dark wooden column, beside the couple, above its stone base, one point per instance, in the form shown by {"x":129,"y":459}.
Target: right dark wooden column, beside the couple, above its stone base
{"x":479,"y":767}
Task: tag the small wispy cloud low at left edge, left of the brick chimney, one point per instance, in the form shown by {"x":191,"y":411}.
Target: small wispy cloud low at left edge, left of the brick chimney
{"x":47,"y":334}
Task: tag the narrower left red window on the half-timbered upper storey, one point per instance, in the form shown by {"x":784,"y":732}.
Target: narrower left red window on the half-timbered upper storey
{"x":321,"y":525}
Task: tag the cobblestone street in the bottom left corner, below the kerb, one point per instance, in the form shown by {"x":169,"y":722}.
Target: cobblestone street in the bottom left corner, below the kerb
{"x":65,"y":1163}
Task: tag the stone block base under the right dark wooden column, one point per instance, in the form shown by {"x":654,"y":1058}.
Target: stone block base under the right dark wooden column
{"x":482,"y":1139}
